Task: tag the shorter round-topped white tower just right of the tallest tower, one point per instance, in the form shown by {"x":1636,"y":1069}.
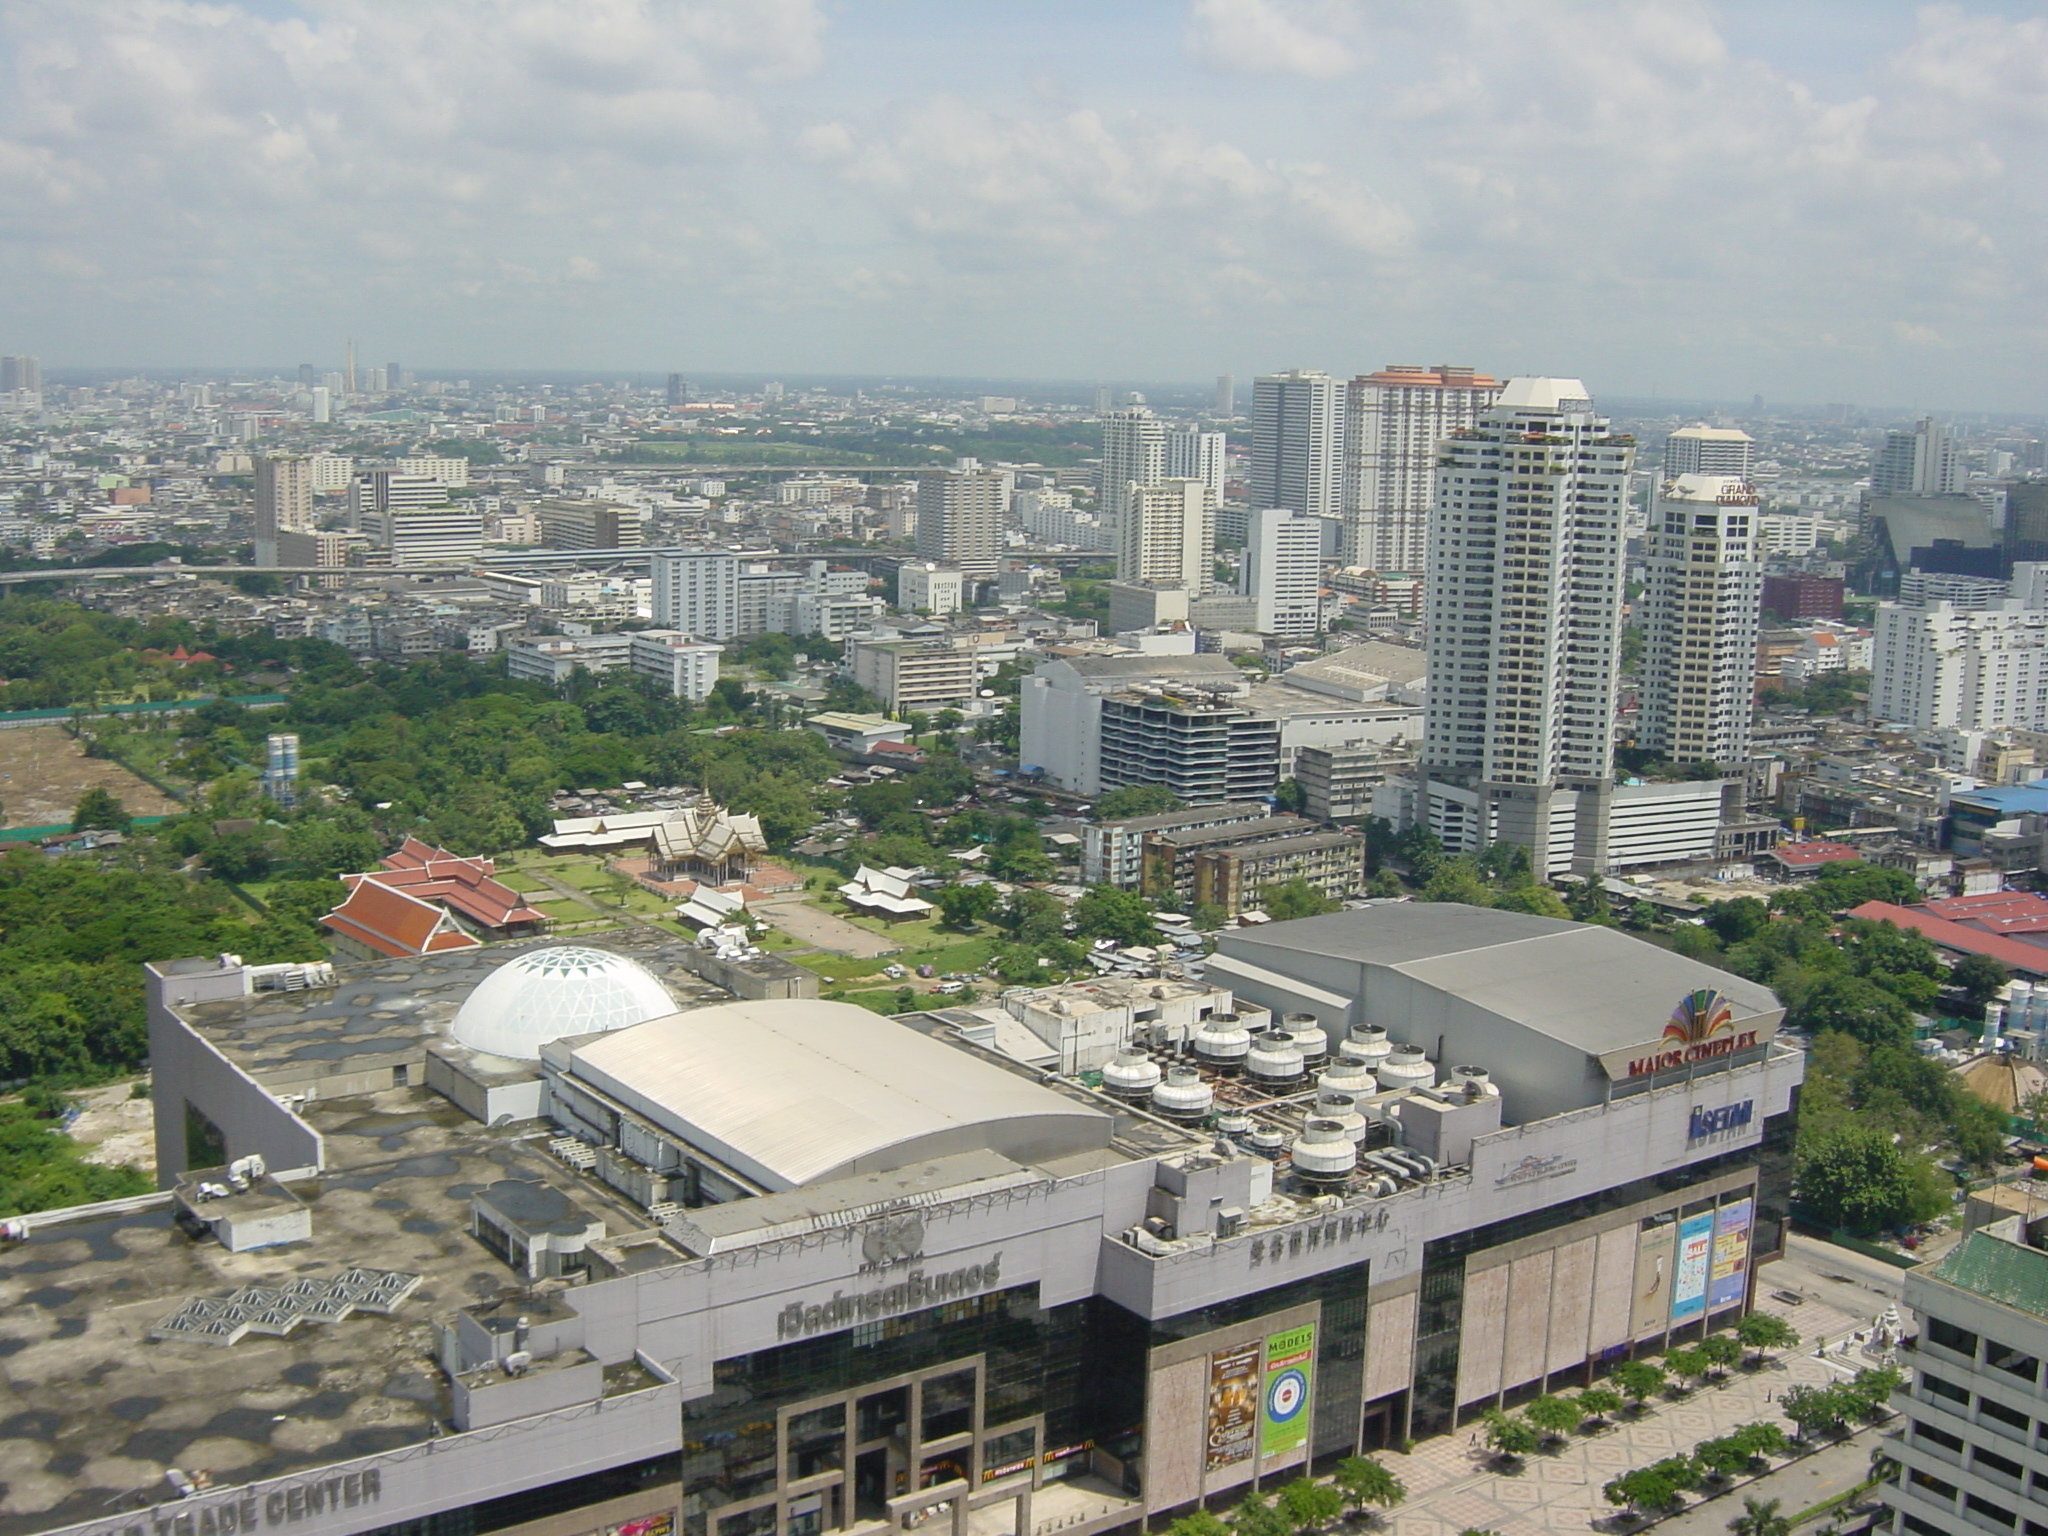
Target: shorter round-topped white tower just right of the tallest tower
{"x":1701,"y":613}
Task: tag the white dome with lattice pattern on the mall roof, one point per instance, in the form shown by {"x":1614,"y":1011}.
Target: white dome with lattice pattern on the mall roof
{"x":560,"y":990}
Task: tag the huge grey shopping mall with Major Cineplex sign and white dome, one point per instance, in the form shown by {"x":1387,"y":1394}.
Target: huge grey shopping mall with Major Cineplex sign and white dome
{"x":663,"y":1293}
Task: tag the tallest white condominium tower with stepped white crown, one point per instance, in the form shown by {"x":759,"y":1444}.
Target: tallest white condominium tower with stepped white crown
{"x":1525,"y":605}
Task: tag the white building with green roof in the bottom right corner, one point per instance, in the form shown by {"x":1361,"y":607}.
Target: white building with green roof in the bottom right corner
{"x":1973,"y":1453}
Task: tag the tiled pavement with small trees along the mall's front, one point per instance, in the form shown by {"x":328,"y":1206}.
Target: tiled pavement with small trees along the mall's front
{"x":1453,"y":1486}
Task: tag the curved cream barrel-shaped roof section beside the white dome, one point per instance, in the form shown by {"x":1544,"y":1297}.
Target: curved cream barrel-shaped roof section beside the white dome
{"x":792,"y":1093}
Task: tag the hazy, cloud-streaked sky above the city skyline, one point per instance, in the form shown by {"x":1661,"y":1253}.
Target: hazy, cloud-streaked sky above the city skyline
{"x":1811,"y":200}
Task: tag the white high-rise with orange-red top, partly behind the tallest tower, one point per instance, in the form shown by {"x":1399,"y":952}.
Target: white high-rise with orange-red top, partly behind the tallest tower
{"x":1392,"y":425}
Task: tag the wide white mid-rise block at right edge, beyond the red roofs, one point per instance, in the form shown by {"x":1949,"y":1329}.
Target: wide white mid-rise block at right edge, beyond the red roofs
{"x":1965,"y":669}
